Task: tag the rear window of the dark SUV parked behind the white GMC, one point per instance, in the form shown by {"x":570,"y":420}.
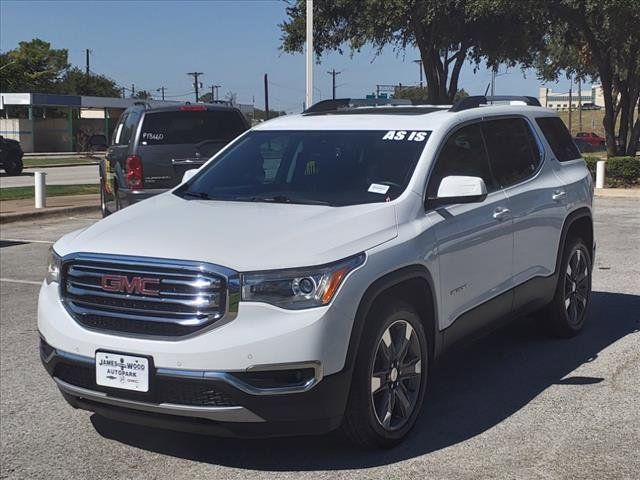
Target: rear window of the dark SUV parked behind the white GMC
{"x":190,"y":127}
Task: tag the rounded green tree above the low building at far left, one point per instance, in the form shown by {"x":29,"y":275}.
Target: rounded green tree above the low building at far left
{"x":32,"y":67}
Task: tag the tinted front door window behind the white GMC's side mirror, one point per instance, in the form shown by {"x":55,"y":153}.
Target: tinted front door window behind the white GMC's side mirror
{"x":462,"y":154}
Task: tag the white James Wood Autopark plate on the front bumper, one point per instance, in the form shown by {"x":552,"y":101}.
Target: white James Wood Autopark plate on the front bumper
{"x":127,"y":372}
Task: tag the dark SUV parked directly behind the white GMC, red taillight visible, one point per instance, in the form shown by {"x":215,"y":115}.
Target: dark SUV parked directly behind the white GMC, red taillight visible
{"x":152,"y":147}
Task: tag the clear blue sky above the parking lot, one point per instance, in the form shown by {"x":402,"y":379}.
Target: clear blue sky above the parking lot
{"x":153,"y":44}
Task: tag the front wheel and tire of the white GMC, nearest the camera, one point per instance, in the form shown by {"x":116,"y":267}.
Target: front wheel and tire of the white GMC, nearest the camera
{"x":389,"y":378}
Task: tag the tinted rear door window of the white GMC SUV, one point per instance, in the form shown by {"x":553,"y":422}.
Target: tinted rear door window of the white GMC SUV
{"x":513,"y":151}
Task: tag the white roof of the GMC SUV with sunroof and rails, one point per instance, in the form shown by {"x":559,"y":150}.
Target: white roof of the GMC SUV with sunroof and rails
{"x":397,"y":117}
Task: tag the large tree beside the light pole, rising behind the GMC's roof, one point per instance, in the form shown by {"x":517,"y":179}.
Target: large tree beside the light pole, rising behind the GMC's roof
{"x":446,"y":33}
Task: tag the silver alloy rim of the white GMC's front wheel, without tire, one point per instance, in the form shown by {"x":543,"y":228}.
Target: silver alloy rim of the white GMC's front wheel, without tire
{"x":396,"y":375}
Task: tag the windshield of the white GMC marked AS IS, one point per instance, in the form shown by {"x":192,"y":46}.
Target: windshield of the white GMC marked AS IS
{"x":312,"y":167}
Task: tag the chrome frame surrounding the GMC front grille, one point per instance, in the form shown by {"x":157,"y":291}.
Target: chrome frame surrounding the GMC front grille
{"x":232,"y":280}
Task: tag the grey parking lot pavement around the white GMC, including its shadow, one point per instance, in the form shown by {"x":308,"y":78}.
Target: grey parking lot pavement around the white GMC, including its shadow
{"x":513,"y":405}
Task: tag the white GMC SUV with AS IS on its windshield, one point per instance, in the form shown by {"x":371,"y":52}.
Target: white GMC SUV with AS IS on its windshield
{"x":308,"y":276}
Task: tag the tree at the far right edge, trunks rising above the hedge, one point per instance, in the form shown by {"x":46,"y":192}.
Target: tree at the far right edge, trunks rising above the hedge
{"x":599,"y":39}
